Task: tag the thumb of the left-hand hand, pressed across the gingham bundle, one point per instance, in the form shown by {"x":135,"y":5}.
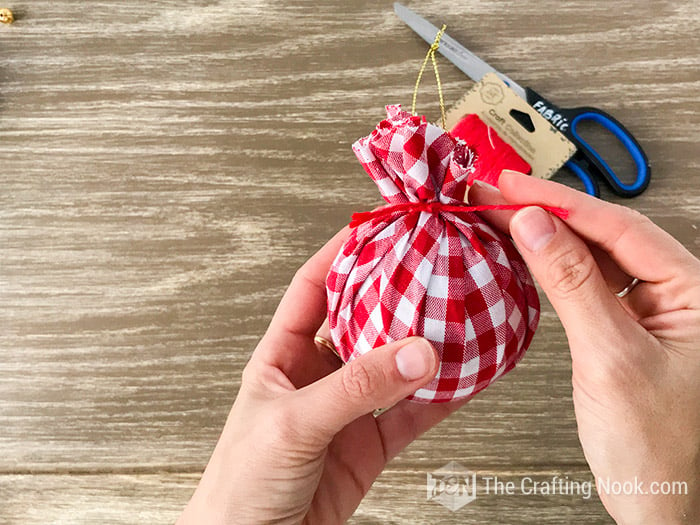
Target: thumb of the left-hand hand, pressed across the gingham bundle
{"x":378,"y":379}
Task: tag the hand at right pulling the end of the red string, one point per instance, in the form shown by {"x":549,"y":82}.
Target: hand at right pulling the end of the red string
{"x":635,"y":360}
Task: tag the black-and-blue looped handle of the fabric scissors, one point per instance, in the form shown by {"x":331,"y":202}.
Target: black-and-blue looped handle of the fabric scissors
{"x":588,"y":159}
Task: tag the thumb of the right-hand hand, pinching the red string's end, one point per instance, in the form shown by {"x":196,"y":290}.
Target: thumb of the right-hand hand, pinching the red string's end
{"x":565,"y":268}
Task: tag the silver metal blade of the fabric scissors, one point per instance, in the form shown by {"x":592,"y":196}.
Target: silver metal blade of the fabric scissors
{"x":460,"y":56}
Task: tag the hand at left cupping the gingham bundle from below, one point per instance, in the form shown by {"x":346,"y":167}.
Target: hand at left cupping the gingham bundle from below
{"x":301,"y":443}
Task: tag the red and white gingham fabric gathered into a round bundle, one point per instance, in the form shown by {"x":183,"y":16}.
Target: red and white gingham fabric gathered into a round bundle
{"x":448,"y":277}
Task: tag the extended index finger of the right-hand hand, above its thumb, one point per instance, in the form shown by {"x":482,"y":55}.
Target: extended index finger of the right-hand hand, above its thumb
{"x":640,"y":247}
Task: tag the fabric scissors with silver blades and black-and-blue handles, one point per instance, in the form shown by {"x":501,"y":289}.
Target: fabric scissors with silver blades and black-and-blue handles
{"x":587,"y":164}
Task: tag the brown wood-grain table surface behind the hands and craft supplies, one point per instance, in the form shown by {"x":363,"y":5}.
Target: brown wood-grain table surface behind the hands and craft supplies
{"x":167,"y":165}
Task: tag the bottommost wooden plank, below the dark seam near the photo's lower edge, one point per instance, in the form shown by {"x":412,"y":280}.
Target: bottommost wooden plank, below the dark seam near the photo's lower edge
{"x":397,"y":497}
